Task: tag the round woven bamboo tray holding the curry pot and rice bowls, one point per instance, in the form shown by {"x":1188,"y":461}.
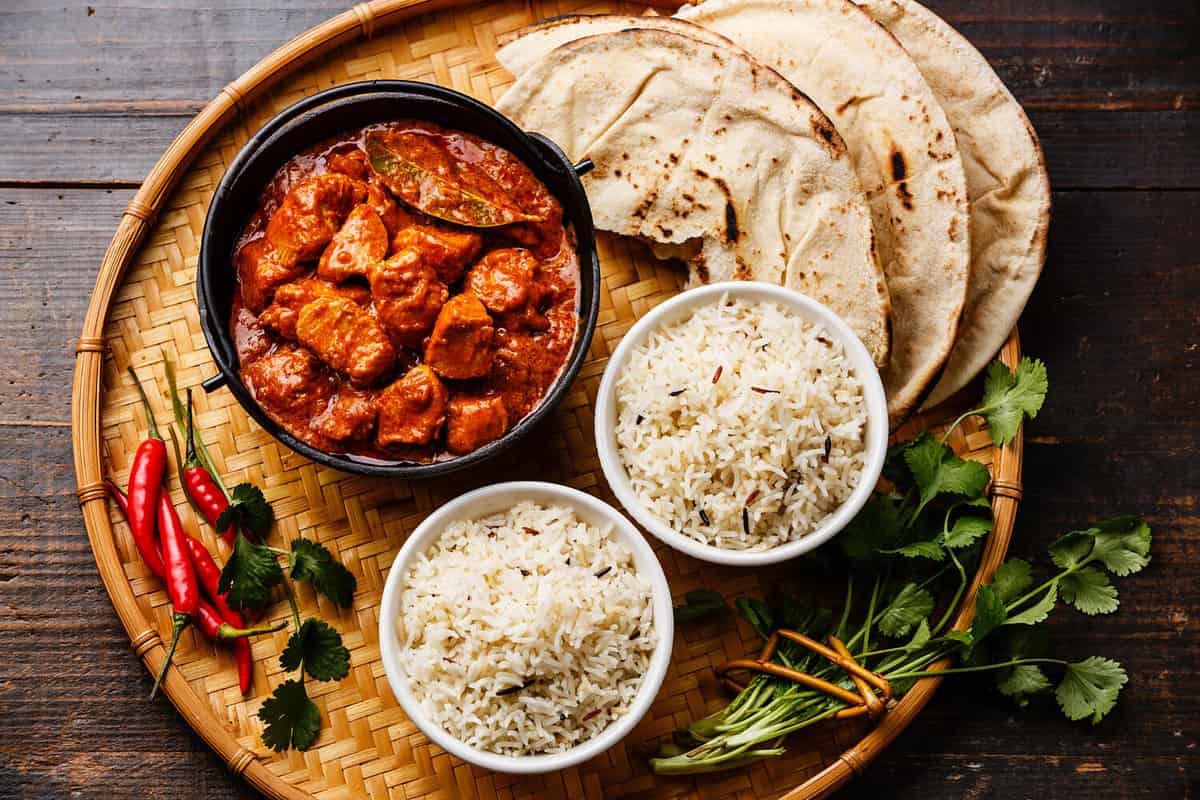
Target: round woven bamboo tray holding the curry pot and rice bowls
{"x":143,"y":308}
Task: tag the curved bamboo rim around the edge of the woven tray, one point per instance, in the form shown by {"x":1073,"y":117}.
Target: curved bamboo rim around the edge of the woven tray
{"x":364,"y":21}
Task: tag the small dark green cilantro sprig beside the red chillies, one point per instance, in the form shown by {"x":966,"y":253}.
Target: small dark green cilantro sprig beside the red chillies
{"x":315,"y":648}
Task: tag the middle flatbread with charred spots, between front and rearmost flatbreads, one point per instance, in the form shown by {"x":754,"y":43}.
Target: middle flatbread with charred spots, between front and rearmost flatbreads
{"x":903,"y":149}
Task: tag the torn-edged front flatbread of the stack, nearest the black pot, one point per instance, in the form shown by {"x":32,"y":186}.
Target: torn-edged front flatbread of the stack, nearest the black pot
{"x":710,"y":155}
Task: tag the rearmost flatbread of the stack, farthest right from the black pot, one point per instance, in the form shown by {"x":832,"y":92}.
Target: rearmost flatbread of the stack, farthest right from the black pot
{"x":1007,"y":184}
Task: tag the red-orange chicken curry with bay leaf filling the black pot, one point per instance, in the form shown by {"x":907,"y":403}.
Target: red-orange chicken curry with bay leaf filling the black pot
{"x":405,"y":293}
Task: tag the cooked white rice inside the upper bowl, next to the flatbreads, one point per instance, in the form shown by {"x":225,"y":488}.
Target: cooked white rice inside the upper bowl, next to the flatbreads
{"x":753,"y":462}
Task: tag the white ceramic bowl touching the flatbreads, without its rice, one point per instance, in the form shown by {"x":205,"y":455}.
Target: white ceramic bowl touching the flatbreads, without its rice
{"x":679,"y":309}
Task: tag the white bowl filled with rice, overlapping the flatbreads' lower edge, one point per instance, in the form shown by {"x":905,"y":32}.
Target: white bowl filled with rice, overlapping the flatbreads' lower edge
{"x":742,"y":424}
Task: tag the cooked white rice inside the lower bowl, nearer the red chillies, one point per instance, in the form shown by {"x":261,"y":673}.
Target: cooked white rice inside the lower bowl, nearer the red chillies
{"x":531,"y":598}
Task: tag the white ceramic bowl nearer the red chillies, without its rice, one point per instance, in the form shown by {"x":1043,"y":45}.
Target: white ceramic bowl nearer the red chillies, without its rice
{"x":494,"y":500}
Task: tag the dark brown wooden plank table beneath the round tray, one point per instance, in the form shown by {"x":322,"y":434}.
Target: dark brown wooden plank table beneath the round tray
{"x":92,"y":95}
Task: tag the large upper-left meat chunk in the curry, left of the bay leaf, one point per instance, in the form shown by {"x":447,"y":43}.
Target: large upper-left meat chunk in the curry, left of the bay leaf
{"x":311,"y":214}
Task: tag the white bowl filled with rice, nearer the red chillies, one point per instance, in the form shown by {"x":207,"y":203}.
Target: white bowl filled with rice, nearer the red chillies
{"x":526,"y":627}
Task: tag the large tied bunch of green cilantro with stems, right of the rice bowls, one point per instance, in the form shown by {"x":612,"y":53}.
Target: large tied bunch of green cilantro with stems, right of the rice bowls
{"x":917,"y":544}
